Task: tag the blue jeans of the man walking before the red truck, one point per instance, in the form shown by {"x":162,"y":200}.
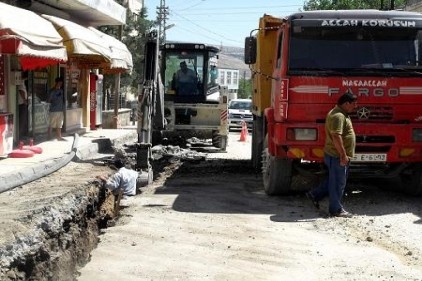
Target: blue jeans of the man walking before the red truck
{"x":333,"y":185}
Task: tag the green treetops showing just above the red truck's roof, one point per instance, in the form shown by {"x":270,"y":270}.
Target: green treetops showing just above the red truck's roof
{"x":352,"y":4}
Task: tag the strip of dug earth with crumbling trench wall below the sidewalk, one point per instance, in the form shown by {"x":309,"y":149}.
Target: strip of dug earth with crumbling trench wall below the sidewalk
{"x":50,"y":226}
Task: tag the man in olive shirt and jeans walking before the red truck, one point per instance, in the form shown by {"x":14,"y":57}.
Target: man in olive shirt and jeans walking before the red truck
{"x":340,"y":142}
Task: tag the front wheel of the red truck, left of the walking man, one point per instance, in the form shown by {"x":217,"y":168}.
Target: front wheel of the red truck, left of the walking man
{"x":276,"y":174}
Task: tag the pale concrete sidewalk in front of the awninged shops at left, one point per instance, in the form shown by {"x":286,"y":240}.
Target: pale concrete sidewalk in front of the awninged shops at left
{"x":55,"y":154}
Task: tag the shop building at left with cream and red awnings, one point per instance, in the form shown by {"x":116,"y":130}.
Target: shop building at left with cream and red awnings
{"x":29,"y":59}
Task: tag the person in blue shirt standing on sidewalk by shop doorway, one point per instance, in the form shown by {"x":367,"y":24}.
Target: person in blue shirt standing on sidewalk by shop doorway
{"x":56,"y":100}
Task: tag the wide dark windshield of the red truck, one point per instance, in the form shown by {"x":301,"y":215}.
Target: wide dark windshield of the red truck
{"x":354,"y":49}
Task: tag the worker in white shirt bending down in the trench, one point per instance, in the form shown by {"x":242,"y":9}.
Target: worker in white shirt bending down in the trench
{"x":124,"y":179}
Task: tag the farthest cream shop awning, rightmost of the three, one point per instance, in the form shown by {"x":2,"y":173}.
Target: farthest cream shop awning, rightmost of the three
{"x":121,"y":58}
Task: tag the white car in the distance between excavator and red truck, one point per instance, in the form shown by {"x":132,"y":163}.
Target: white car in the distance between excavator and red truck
{"x":239,"y":111}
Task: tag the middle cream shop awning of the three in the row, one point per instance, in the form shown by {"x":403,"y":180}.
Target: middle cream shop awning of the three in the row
{"x":82,"y":44}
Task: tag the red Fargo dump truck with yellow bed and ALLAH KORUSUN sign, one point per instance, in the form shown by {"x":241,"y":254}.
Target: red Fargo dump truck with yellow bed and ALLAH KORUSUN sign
{"x":301,"y":64}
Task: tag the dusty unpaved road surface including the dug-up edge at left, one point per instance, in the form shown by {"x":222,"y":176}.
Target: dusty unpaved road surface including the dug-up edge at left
{"x":205,"y":217}
